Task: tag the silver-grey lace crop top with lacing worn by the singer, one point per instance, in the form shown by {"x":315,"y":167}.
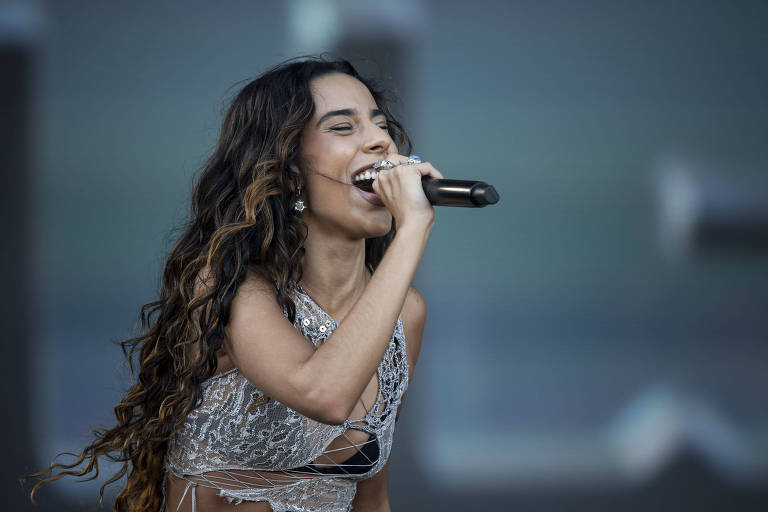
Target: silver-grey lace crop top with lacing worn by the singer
{"x":252,"y":448}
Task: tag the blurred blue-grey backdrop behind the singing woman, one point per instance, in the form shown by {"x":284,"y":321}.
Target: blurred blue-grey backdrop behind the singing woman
{"x":595,"y":341}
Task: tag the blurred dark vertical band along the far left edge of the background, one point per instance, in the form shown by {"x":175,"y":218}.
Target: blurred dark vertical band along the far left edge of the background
{"x":17,"y":58}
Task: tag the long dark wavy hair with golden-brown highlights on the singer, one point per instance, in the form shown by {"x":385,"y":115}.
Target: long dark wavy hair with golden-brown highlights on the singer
{"x":241,"y":219}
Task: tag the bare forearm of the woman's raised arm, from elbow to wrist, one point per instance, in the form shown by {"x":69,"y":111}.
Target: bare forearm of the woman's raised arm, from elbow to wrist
{"x":342,"y":366}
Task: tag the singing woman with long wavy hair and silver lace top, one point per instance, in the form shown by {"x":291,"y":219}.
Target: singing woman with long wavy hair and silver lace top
{"x":274,"y":364}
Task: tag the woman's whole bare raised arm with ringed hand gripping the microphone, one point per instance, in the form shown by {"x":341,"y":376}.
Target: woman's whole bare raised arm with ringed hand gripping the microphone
{"x":325,"y":383}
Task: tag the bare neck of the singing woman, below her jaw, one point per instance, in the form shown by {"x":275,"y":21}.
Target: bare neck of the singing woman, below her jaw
{"x":333,"y":271}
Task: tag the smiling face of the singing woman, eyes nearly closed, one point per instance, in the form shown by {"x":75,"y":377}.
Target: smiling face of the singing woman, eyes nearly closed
{"x":347,"y":132}
